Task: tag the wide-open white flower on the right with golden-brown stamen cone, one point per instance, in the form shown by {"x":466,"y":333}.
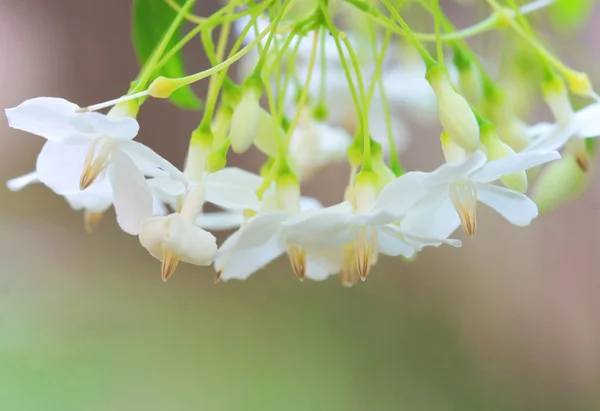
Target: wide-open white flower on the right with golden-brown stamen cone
{"x":448,"y":196}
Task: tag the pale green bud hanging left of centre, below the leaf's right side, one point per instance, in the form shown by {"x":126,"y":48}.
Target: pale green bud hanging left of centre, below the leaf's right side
{"x":245,"y":121}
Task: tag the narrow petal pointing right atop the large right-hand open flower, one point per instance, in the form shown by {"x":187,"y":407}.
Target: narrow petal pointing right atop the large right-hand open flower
{"x":513,"y":164}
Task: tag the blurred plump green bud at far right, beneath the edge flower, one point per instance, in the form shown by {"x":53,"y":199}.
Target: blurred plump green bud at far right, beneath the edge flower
{"x":561,"y":181}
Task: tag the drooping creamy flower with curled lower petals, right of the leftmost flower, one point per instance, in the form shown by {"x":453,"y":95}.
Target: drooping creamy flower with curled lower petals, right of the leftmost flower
{"x":182,"y":235}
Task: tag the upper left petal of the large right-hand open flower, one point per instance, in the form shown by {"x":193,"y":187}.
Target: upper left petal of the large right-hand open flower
{"x":401,"y":194}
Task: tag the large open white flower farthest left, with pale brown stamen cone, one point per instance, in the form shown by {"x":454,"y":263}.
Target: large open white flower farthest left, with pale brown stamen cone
{"x":83,"y":148}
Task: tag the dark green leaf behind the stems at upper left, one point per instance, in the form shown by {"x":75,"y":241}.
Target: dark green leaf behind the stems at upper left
{"x":151,"y":20}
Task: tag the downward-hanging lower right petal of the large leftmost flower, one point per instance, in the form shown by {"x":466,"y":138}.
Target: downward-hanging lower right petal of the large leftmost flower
{"x":131,"y":194}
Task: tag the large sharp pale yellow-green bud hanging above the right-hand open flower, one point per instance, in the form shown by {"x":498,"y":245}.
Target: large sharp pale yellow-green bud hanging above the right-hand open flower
{"x":455,"y":114}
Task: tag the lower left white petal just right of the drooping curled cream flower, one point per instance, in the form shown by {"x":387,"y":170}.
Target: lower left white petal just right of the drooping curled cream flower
{"x":240,"y":264}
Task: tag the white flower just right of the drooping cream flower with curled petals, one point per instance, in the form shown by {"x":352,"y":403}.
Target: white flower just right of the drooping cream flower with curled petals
{"x":262,"y":239}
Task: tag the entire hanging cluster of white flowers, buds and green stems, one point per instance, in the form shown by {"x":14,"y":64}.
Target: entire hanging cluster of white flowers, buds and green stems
{"x":313,"y":95}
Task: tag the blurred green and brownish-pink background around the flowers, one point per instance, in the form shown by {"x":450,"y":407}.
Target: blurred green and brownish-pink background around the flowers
{"x":508,"y":322}
